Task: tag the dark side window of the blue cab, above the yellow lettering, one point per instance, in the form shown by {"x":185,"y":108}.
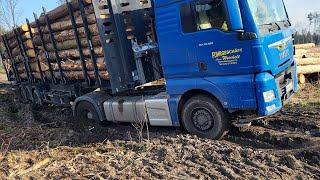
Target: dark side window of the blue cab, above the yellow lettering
{"x":207,"y":15}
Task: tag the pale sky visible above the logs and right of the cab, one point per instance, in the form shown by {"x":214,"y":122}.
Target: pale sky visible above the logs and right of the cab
{"x":297,"y":9}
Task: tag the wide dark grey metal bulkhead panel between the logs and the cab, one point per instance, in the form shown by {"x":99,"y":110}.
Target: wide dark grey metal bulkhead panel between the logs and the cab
{"x":116,"y":63}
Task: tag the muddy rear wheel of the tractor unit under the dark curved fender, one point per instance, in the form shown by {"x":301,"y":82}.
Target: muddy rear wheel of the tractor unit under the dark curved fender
{"x":86,"y":111}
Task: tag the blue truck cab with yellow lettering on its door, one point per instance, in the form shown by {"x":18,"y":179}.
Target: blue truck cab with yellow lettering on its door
{"x":240,"y":52}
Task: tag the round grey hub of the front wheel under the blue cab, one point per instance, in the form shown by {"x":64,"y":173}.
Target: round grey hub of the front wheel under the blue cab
{"x":202,"y":119}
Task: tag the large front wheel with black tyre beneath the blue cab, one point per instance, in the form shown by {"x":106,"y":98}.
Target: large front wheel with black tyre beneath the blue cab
{"x":205,"y":117}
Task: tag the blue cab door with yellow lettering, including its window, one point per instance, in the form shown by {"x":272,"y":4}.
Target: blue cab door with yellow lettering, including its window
{"x":219,"y":50}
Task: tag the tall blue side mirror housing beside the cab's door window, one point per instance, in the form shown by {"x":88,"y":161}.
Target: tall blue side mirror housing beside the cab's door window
{"x":234,"y":14}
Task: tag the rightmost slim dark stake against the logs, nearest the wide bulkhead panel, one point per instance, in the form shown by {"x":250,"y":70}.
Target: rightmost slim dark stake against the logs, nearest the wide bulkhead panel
{"x":89,"y":39}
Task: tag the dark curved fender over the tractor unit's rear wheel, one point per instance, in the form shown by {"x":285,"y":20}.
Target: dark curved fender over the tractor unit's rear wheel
{"x":96,"y":98}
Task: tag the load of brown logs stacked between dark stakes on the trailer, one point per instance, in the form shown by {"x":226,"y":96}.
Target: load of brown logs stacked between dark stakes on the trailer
{"x":64,"y":42}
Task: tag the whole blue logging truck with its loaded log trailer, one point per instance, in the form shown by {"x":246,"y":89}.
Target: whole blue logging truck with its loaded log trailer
{"x":202,"y":65}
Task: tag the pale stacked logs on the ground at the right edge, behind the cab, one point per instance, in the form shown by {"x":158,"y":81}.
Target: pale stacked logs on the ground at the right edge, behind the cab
{"x":308,"y":60}
